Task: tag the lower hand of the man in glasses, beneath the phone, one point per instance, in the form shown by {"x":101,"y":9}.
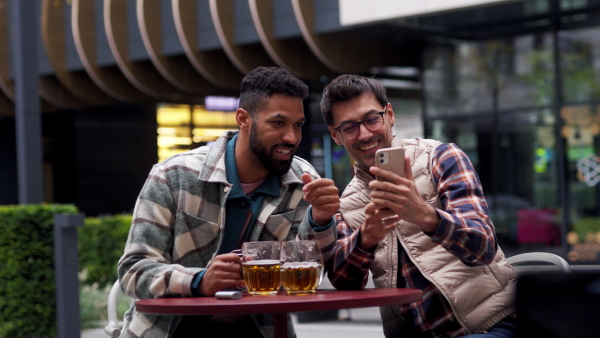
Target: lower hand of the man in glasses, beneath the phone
{"x":378,"y":223}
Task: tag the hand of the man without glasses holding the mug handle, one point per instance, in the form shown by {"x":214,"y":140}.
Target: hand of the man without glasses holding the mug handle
{"x":225,"y":271}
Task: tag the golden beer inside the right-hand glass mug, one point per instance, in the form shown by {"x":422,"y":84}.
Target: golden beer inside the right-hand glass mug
{"x":301,"y":278}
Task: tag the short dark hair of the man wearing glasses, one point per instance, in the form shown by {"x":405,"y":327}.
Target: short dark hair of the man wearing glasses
{"x":347,"y":87}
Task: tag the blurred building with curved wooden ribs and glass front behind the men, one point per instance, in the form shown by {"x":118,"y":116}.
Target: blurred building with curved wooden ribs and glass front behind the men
{"x":123,"y":84}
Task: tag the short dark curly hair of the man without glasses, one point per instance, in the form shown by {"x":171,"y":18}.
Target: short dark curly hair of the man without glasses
{"x":263,"y":82}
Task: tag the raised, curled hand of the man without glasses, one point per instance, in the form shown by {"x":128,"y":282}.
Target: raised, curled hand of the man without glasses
{"x":323,"y":195}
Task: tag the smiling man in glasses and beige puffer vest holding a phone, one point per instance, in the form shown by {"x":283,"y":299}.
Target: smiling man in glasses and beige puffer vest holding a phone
{"x":430,"y":230}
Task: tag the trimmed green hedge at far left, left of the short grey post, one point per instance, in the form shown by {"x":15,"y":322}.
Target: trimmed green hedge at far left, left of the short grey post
{"x":27,"y":286}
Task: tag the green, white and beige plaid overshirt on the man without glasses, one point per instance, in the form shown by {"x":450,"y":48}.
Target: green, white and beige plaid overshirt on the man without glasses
{"x":178,"y":226}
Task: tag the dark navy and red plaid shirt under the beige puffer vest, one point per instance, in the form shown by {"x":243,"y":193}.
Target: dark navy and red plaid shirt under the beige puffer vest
{"x":465,"y":230}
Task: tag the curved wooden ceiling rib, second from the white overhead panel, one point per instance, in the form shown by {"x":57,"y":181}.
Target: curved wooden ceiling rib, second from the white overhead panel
{"x":290,"y":54}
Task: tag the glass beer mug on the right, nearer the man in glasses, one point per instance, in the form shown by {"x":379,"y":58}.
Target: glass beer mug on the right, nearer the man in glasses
{"x":302,"y":267}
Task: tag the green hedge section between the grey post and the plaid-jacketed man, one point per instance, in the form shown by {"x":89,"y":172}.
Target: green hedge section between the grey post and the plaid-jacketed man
{"x":101,"y":243}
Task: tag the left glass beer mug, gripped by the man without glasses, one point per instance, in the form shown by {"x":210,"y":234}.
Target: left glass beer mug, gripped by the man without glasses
{"x":261,"y":267}
